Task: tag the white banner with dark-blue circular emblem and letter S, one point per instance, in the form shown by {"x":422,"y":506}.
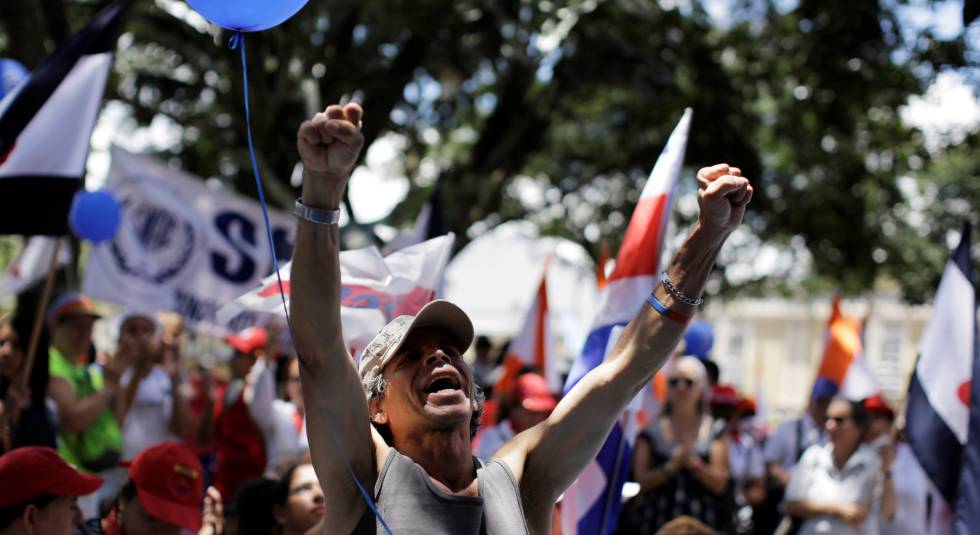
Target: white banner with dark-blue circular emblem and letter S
{"x":182,"y":246}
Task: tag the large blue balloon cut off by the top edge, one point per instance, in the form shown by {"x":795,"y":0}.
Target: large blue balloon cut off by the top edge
{"x":247,"y":15}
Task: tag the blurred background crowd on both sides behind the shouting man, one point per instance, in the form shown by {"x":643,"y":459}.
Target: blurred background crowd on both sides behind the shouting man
{"x":705,"y":455}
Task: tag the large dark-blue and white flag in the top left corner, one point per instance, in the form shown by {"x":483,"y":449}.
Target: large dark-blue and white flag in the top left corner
{"x":45,"y":125}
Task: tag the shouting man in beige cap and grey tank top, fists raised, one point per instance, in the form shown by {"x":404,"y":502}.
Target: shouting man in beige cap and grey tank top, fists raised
{"x":412,"y":384}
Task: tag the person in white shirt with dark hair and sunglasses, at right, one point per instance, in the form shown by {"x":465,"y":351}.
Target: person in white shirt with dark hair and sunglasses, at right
{"x":835,"y":488}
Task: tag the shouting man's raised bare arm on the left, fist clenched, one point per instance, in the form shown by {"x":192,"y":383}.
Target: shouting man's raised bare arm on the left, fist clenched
{"x":337,"y":412}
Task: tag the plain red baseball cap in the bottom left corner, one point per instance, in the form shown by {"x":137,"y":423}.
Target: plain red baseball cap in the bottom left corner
{"x":32,"y":471}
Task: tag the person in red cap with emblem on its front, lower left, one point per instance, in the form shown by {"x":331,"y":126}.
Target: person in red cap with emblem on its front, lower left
{"x":163,"y":495}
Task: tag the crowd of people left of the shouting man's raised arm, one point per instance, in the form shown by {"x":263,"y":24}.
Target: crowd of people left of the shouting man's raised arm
{"x":133,"y":441}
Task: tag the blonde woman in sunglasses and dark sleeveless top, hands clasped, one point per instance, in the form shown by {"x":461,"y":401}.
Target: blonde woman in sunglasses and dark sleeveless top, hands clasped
{"x":682,"y":468}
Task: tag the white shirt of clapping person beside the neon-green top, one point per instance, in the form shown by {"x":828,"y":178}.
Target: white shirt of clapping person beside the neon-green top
{"x":148,"y":420}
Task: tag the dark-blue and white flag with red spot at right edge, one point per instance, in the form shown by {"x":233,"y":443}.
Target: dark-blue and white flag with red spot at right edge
{"x":943,"y":415}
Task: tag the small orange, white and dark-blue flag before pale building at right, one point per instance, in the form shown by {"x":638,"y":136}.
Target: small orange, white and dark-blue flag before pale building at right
{"x":844,"y":370}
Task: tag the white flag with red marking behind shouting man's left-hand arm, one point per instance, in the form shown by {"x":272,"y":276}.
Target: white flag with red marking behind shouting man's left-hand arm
{"x":374,"y":289}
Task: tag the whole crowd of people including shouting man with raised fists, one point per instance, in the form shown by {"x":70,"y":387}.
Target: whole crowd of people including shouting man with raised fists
{"x":291,"y":441}
